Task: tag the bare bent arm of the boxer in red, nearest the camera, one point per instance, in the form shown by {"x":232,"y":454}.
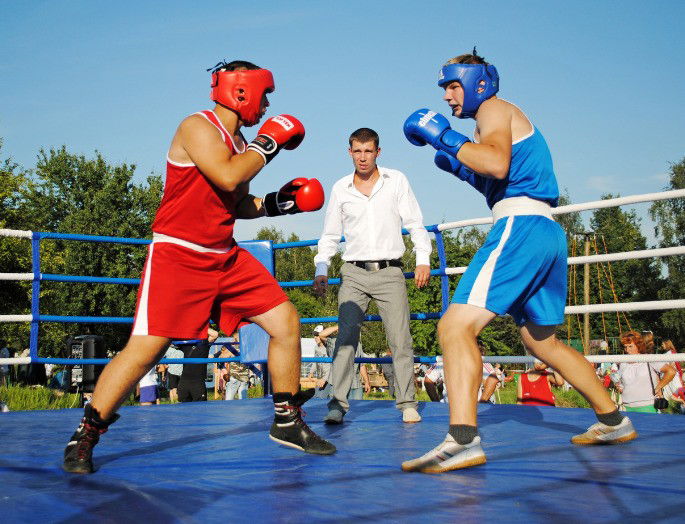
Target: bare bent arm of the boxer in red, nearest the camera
{"x":206,"y":149}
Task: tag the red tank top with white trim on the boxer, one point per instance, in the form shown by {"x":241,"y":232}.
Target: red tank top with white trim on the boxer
{"x":193,"y":208}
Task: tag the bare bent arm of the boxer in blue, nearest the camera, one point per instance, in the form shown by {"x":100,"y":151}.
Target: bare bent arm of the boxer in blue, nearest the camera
{"x":492,"y":155}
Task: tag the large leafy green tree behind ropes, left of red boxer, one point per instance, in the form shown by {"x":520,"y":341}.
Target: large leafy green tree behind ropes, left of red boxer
{"x":74,"y":194}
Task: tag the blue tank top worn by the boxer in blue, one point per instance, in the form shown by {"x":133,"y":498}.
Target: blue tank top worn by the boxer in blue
{"x":530,"y":174}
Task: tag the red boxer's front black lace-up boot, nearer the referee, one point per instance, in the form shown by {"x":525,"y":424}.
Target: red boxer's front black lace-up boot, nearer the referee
{"x":290,"y":430}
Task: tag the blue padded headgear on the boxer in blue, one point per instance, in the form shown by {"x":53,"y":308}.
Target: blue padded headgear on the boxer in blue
{"x":470,"y":76}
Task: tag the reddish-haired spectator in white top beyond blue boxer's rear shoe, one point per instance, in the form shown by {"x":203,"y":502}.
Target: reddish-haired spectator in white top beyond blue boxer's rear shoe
{"x":640,"y":382}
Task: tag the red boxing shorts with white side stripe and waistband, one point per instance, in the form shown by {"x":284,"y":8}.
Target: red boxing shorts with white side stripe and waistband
{"x":183,"y":287}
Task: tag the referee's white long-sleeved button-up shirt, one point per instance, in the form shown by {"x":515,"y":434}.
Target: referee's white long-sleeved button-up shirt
{"x":372,"y":226}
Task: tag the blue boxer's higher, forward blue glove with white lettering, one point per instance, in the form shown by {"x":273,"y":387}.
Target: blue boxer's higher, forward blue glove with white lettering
{"x":428,"y":127}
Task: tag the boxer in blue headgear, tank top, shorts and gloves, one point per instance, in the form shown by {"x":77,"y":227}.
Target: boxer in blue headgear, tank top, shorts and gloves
{"x":520,"y":269}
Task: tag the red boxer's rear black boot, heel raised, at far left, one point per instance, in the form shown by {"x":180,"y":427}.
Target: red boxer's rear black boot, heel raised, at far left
{"x":78,"y":455}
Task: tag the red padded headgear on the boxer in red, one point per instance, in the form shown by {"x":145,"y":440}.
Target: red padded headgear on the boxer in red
{"x":242,"y":91}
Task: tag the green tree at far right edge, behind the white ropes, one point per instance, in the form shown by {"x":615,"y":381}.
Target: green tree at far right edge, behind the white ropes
{"x":669,"y":216}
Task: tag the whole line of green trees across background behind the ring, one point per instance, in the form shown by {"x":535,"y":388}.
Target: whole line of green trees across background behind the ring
{"x":73,"y":194}
